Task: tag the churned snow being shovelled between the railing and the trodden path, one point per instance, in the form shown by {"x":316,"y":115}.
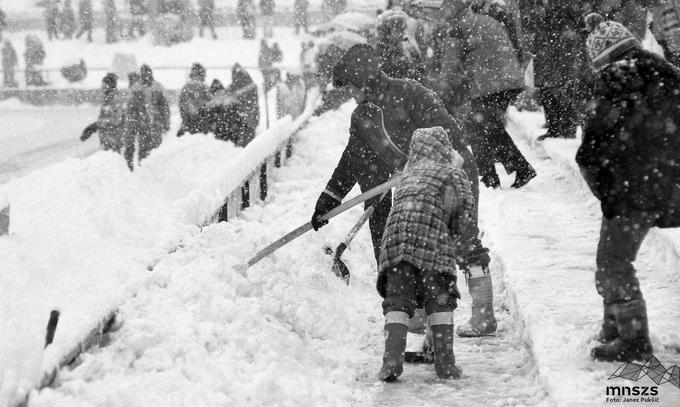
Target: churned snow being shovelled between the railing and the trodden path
{"x":201,"y":330}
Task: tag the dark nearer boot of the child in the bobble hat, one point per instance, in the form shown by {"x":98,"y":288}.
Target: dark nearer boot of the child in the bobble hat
{"x":633,"y":341}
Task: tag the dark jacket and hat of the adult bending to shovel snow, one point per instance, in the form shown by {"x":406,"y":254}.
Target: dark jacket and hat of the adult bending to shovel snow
{"x":405,"y":105}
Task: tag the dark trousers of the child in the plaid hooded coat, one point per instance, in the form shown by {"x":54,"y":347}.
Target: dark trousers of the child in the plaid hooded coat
{"x":408,"y":288}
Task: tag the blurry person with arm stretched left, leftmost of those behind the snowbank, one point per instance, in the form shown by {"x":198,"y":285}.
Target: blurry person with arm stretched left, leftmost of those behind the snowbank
{"x":110,"y":124}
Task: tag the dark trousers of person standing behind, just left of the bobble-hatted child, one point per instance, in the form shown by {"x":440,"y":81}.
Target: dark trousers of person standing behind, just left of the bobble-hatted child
{"x":560,"y":110}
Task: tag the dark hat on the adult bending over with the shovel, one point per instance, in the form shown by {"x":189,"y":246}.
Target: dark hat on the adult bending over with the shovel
{"x":359,"y":67}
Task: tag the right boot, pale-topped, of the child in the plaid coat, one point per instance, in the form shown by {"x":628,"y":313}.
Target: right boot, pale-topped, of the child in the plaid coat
{"x":442,"y":342}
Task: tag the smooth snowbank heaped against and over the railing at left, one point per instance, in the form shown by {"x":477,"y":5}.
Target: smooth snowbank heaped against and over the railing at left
{"x":85,"y":232}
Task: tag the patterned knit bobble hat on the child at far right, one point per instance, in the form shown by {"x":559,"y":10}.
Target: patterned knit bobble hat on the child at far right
{"x":608,"y":40}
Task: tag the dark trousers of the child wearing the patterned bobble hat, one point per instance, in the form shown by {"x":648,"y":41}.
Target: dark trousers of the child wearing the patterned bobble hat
{"x":620,"y":240}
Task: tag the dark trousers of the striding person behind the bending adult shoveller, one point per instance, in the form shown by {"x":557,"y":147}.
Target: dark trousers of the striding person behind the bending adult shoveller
{"x":491,"y":142}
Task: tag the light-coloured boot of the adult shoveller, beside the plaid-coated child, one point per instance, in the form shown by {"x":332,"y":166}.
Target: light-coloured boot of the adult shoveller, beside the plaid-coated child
{"x":482,"y":321}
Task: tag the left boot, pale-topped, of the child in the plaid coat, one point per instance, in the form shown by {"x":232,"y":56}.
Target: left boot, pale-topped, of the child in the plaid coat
{"x":396,"y":327}
